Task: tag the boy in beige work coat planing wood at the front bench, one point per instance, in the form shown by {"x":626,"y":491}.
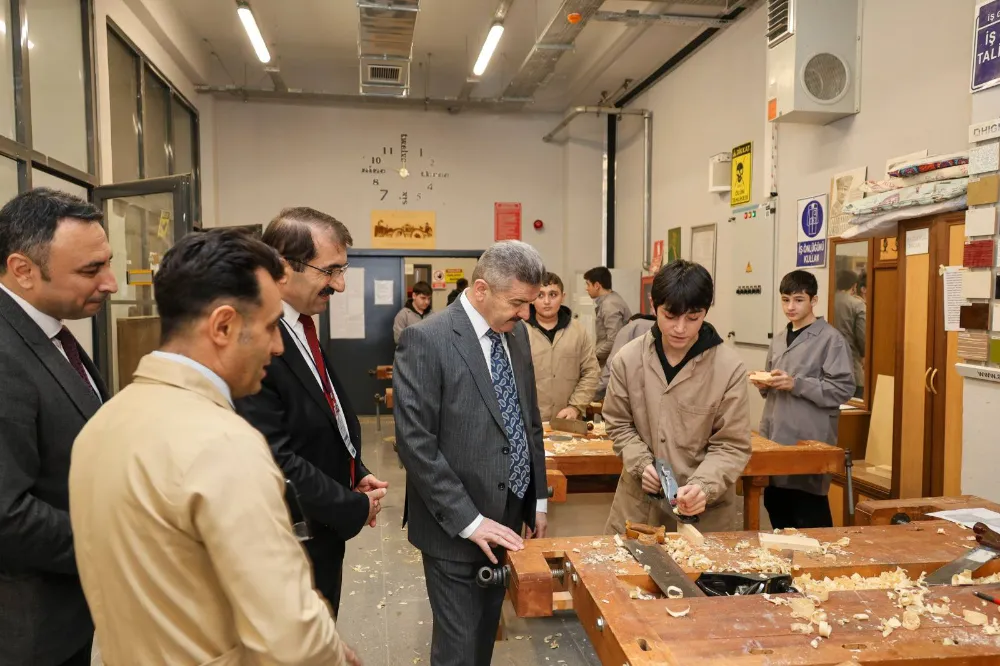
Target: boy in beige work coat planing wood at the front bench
{"x":678,"y":393}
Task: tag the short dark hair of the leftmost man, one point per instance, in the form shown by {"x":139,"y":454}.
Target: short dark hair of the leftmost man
{"x":28,"y":223}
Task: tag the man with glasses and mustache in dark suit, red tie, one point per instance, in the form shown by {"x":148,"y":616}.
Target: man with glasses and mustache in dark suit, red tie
{"x":302,"y":408}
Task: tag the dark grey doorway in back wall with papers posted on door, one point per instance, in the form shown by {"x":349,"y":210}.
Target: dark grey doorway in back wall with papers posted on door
{"x":357,"y":327}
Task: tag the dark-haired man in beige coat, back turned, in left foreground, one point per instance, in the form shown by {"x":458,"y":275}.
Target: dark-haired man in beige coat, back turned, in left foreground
{"x":183,"y":539}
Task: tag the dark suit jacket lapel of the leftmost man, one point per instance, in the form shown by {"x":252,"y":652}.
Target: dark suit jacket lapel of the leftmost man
{"x":80,"y":393}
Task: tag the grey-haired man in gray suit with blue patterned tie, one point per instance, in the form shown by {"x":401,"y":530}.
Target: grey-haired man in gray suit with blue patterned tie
{"x":470,"y":437}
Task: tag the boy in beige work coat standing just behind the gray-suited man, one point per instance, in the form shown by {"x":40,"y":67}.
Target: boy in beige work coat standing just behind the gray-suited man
{"x":566,"y":369}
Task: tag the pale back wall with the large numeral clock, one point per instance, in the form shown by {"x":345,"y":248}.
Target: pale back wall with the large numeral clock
{"x":270,"y":156}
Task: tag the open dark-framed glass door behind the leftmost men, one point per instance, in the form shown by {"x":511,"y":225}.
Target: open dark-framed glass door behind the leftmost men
{"x":143,"y":219}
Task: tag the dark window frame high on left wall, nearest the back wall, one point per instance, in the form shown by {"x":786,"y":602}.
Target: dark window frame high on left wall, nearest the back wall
{"x":143,"y":64}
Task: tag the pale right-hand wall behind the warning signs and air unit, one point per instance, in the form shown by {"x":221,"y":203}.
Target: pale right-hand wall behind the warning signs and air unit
{"x":910,"y":100}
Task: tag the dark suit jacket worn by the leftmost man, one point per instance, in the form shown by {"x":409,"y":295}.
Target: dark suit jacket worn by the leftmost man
{"x":44,"y":619}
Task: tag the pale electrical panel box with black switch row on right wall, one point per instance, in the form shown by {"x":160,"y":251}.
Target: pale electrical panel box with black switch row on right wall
{"x":754,"y":292}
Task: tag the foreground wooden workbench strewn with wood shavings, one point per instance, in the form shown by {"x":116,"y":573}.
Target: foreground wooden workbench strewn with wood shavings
{"x":738,"y":631}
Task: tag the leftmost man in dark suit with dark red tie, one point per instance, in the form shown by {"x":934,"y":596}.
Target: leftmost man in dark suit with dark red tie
{"x":55,"y":264}
